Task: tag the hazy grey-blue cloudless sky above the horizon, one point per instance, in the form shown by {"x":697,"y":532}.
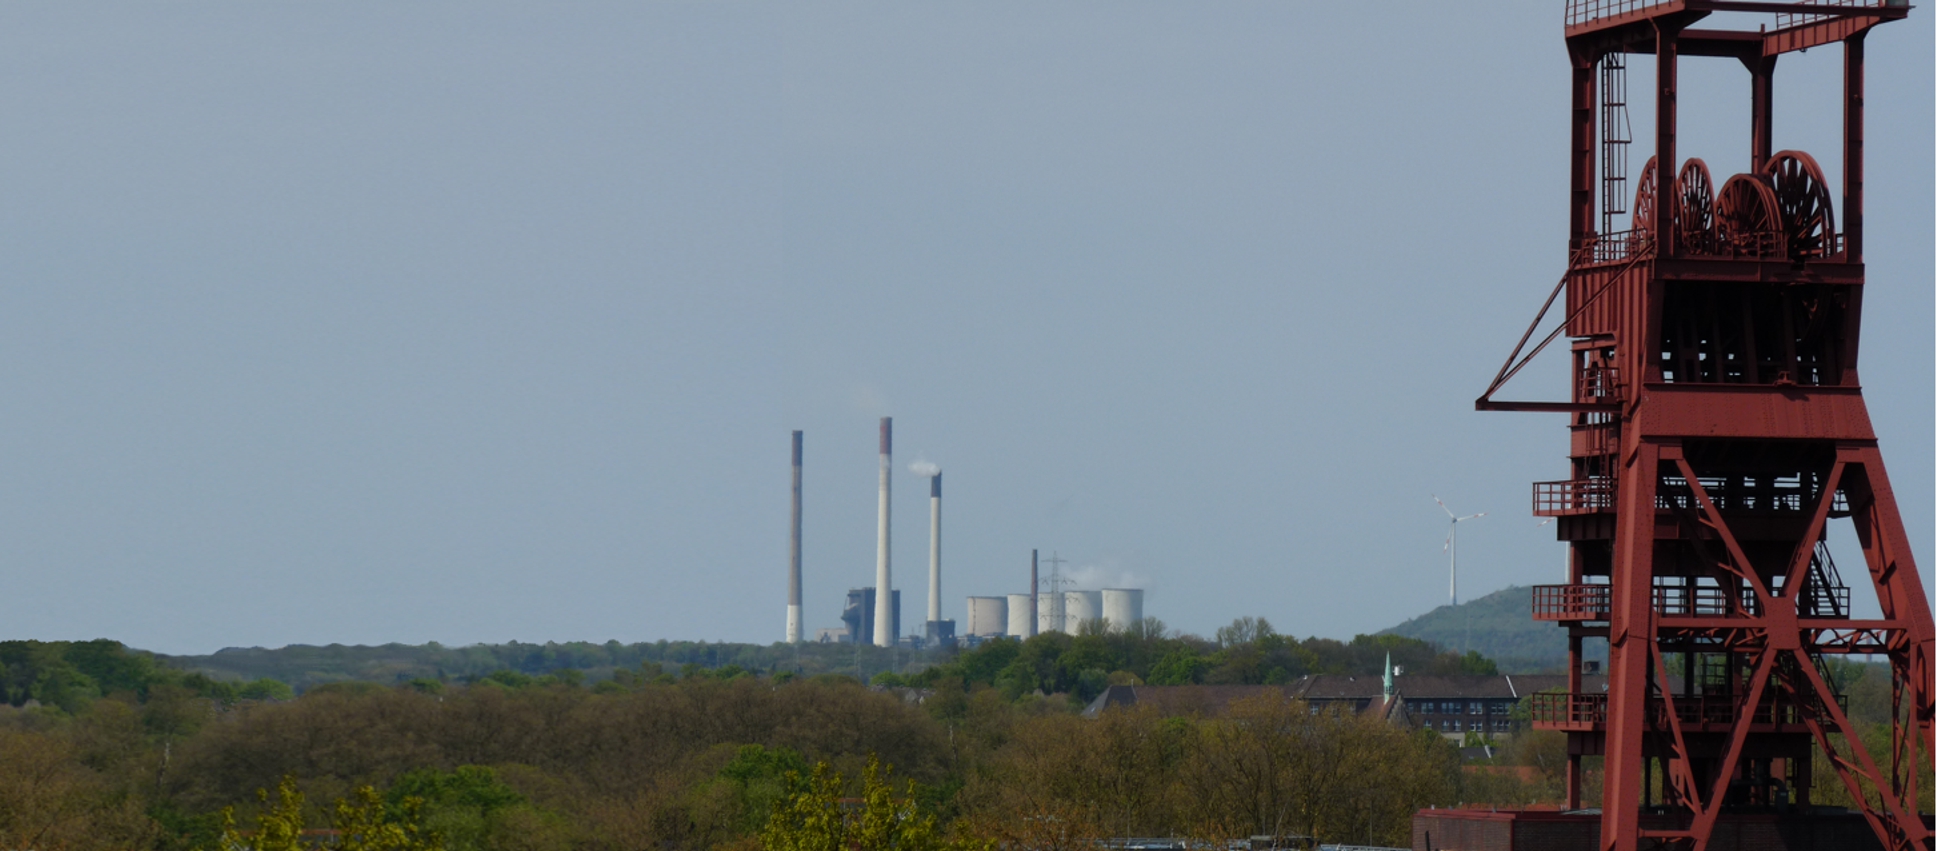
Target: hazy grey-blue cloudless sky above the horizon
{"x":479,"y":321}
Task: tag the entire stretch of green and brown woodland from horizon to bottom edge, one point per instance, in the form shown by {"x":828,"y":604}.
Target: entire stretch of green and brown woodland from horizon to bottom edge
{"x":111,"y":749}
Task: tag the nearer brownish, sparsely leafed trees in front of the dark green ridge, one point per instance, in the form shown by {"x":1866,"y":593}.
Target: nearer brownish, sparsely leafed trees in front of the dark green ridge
{"x":696,"y":763}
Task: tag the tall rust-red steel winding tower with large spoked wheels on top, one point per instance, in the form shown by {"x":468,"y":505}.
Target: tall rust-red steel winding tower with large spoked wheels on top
{"x":1717,"y":431}
